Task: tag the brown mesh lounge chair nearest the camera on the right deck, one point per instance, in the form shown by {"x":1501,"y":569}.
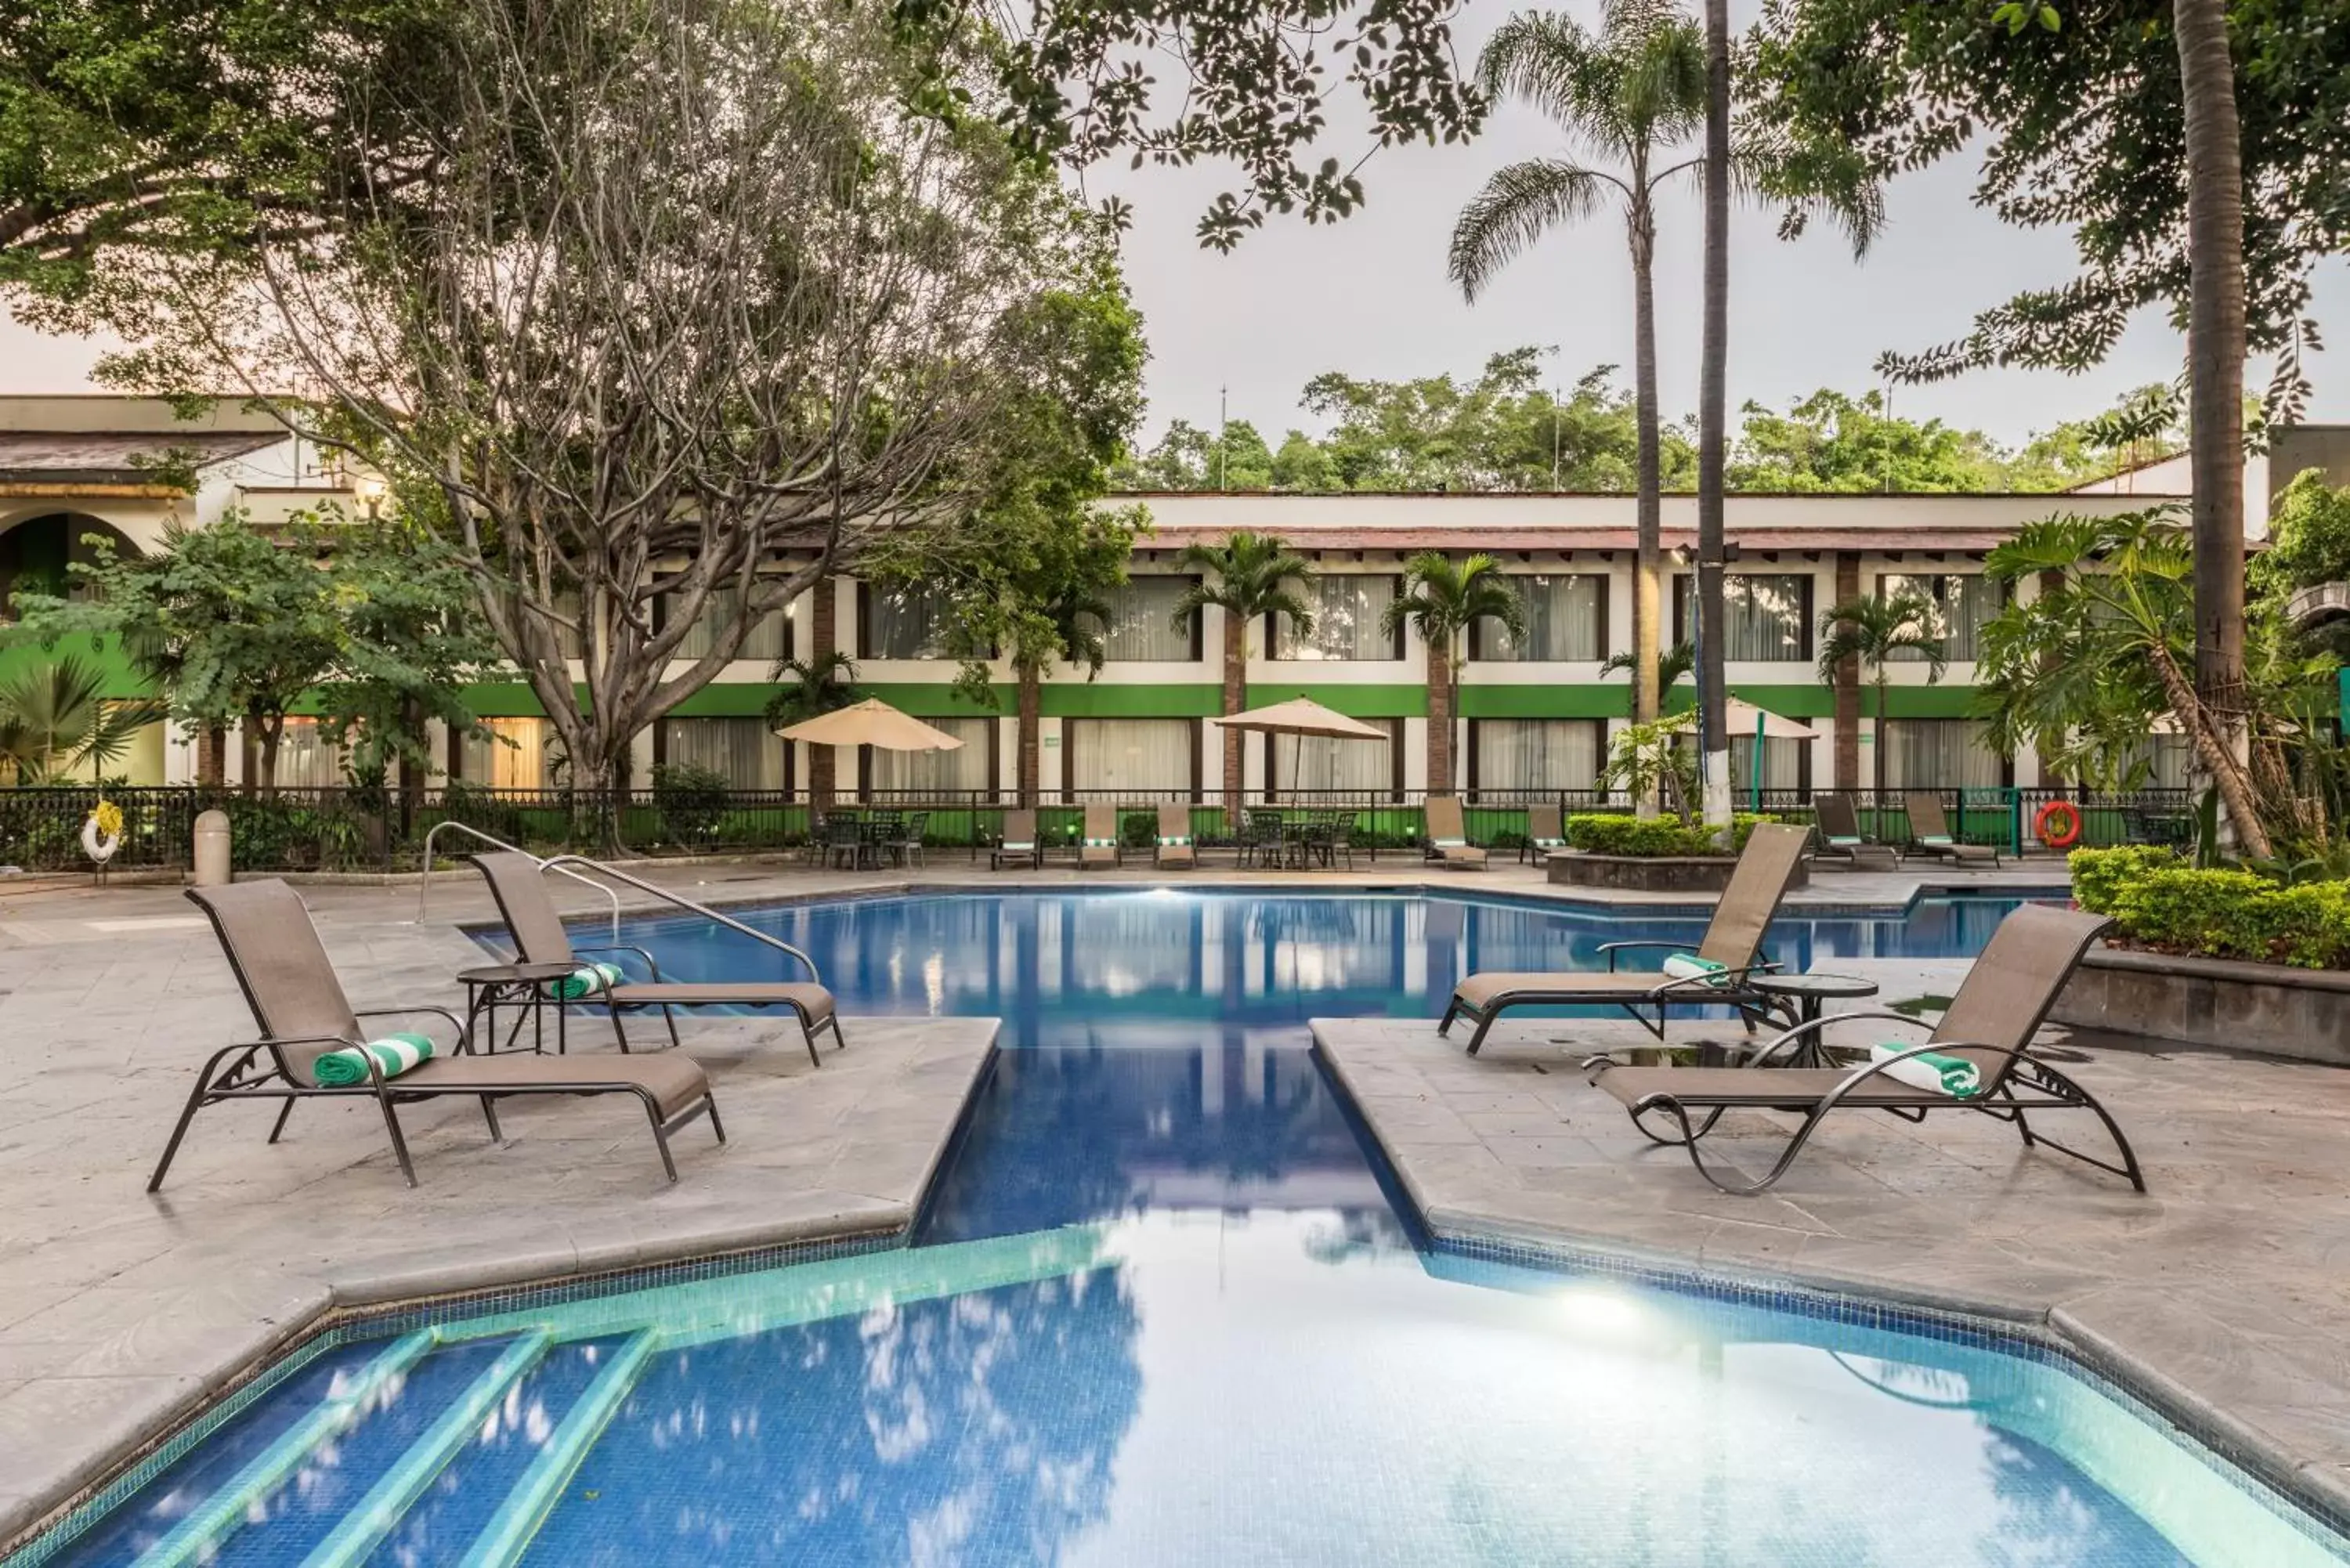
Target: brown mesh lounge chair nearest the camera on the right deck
{"x":1992,"y":1024}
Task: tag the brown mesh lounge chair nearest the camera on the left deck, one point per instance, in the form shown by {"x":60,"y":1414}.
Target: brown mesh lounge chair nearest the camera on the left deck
{"x":304,"y":1014}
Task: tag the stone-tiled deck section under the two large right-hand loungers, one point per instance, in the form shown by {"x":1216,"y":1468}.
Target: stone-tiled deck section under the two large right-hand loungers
{"x":2220,"y":1292}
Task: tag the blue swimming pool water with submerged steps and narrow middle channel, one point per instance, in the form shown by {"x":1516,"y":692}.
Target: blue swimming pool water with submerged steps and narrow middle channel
{"x":1162,"y":1311}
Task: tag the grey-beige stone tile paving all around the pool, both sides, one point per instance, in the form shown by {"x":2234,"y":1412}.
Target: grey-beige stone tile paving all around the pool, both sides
{"x":119,"y":1313}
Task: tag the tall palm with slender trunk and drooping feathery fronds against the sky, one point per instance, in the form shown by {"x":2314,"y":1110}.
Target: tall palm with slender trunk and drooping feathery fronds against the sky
{"x":1632,"y":93}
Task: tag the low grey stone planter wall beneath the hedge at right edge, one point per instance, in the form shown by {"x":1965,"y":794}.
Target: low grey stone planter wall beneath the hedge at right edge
{"x":2213,"y":1003}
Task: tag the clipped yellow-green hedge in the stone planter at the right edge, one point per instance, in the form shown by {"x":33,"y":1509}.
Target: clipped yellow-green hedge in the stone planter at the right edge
{"x":2170,"y":906}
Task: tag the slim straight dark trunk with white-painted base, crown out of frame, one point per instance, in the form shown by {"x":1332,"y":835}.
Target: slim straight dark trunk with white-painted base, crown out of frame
{"x":1712,"y":420}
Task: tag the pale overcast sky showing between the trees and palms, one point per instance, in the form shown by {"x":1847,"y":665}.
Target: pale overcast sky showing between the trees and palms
{"x":1371,"y":297}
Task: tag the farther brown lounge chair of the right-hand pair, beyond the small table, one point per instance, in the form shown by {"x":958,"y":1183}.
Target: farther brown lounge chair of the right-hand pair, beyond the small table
{"x":1733,"y":939}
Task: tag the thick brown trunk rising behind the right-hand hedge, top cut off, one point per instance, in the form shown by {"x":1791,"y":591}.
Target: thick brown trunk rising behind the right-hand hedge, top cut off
{"x":2215,"y":366}
